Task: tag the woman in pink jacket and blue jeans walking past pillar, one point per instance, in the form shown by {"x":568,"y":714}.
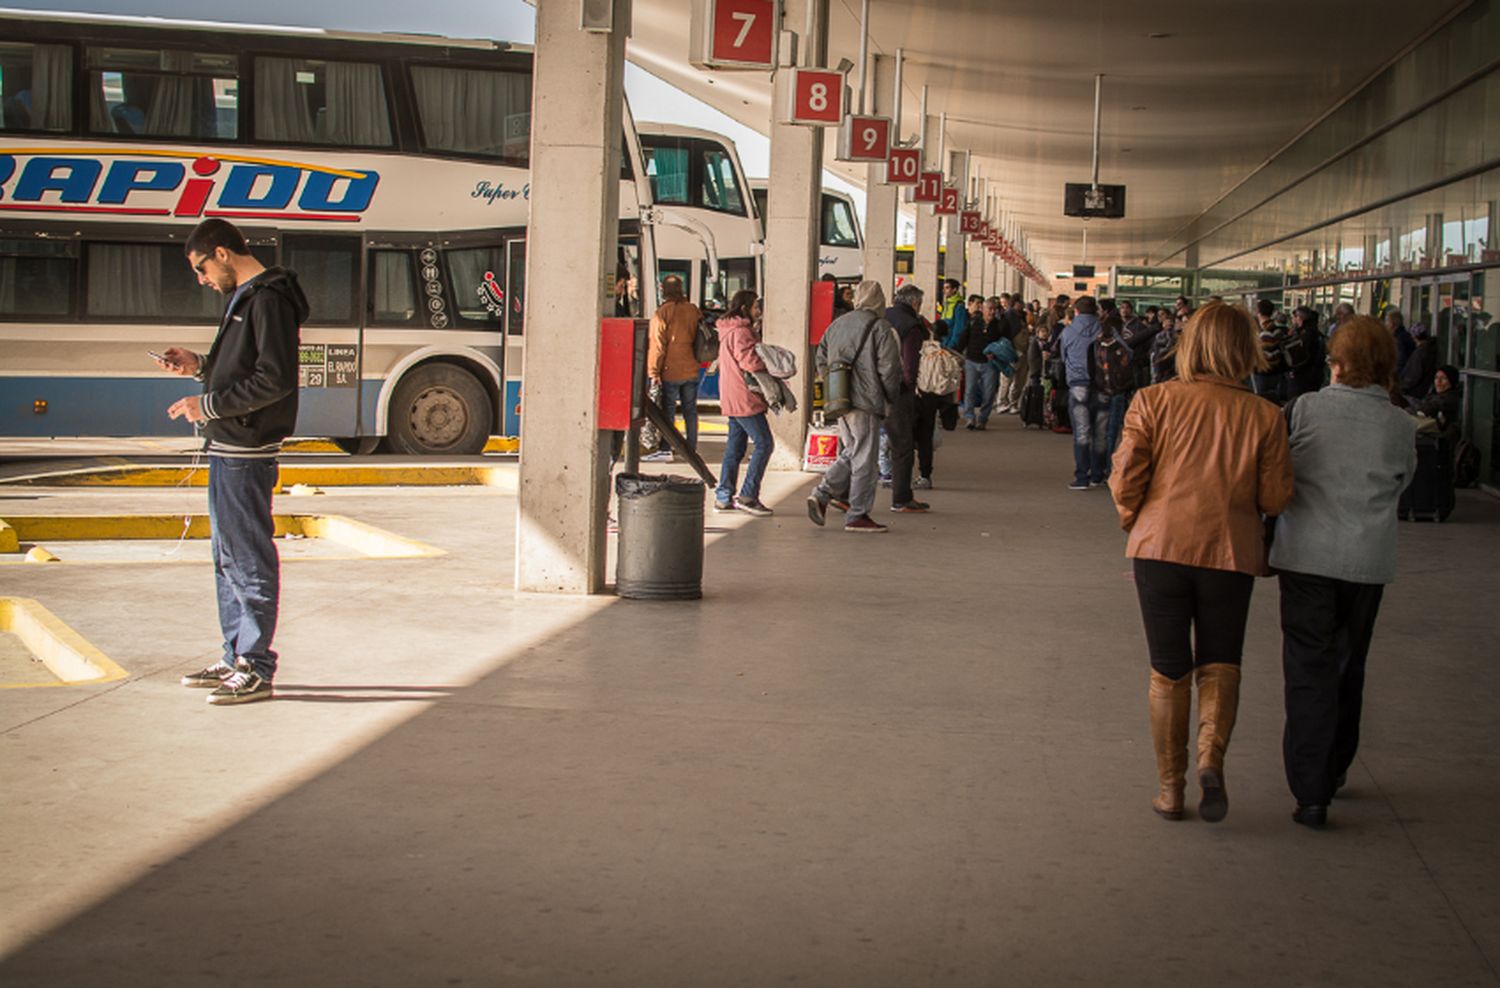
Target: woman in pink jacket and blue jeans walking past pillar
{"x":745,"y":409}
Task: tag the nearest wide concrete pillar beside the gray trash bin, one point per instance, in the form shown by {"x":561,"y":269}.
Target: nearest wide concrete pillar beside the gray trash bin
{"x":577,"y":119}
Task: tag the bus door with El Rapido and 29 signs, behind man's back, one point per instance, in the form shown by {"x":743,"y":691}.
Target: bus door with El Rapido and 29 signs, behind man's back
{"x":331,"y":353}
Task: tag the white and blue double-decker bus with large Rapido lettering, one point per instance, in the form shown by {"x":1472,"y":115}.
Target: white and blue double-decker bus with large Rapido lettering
{"x":389,"y":172}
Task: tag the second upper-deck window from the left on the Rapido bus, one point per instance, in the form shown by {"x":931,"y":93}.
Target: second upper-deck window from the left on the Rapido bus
{"x":164,"y":94}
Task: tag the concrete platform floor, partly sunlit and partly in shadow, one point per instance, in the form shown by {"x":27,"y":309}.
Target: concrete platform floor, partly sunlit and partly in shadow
{"x":901,"y":761}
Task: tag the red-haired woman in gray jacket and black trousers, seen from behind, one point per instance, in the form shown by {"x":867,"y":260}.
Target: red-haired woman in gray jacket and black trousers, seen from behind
{"x":1336,"y":549}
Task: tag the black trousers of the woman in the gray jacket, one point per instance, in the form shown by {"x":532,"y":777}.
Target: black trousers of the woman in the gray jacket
{"x":1327,"y":626}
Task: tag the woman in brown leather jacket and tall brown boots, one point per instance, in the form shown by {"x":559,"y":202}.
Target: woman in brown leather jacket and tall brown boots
{"x":1201,"y":461}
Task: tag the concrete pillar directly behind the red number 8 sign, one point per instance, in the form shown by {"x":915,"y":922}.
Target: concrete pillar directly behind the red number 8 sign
{"x":791,"y":236}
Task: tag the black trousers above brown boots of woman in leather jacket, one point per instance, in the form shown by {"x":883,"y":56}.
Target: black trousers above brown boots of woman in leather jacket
{"x":1193,"y":617}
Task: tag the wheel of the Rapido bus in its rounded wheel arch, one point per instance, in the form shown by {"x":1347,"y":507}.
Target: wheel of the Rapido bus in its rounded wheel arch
{"x":439,"y":410}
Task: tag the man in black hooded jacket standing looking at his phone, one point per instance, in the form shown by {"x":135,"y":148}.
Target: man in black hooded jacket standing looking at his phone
{"x":247,"y":410}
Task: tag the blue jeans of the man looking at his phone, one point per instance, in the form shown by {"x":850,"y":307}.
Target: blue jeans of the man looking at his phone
{"x":247,"y":570}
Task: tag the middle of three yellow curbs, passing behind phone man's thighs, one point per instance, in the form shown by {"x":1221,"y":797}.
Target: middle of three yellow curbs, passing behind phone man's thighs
{"x":358,"y":537}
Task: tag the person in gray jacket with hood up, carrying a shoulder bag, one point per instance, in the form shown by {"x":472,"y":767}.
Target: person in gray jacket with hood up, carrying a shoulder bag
{"x":877,"y":383}
